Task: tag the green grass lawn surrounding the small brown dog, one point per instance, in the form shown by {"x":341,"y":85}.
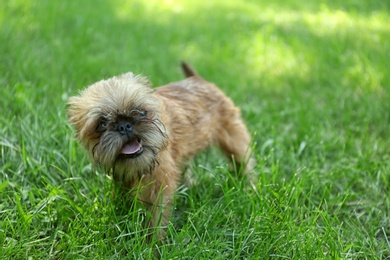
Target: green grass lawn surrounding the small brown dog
{"x":313,"y":83}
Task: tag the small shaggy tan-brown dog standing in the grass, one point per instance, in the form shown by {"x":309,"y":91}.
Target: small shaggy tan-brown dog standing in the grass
{"x":143,"y":136}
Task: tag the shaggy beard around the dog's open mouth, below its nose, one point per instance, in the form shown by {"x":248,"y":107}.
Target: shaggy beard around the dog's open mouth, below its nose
{"x":129,"y":157}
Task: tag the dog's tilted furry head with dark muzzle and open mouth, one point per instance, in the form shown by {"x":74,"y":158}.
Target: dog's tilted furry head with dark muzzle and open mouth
{"x":118,"y":122}
